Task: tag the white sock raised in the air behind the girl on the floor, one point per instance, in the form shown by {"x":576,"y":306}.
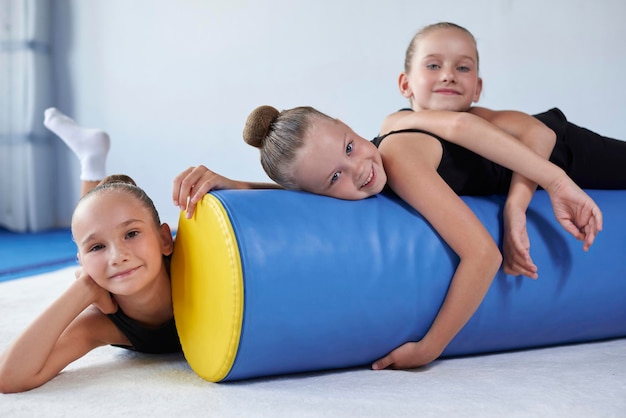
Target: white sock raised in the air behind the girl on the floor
{"x":91,"y":146}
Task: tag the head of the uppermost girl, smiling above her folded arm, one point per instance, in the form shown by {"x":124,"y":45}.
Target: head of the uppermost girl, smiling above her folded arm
{"x":443,"y":71}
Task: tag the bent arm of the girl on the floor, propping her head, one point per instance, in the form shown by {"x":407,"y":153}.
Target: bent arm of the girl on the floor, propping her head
{"x":64,"y":332}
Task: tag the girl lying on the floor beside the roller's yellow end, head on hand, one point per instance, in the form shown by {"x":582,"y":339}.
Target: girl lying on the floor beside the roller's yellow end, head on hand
{"x":121,"y":295}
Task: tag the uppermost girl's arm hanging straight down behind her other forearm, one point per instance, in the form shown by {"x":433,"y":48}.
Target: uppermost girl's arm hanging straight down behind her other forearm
{"x":541,"y":139}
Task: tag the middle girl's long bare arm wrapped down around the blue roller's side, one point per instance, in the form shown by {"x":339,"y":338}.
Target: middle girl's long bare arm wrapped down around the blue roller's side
{"x":411,"y":167}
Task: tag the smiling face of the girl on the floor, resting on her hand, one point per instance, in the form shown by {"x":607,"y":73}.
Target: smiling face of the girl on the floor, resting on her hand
{"x":119,"y":244}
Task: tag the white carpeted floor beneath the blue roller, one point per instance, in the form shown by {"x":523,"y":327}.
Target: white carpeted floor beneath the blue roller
{"x":585,"y":380}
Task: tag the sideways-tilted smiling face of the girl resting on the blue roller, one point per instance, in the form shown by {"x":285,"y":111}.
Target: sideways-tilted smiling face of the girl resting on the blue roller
{"x":334,"y":161}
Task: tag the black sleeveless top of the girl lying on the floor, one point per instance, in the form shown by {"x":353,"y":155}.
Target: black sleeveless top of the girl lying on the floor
{"x":159,"y":340}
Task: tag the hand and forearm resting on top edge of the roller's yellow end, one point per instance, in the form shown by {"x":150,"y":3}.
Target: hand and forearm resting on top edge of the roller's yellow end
{"x":191,"y":185}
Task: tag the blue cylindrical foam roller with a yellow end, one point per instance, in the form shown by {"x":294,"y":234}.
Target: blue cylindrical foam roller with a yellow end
{"x":307,"y":283}
